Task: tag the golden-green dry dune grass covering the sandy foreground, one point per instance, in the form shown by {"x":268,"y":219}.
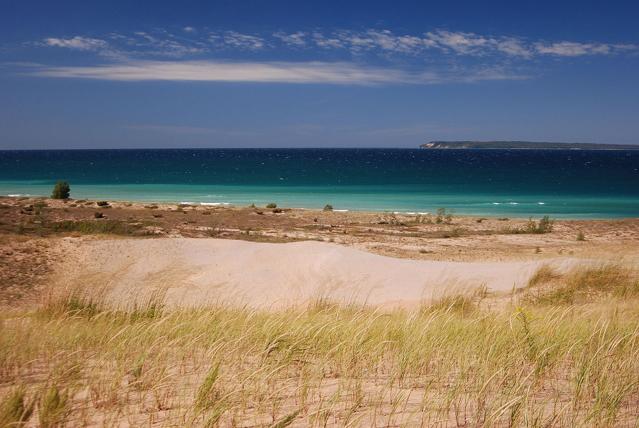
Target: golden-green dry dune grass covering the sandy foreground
{"x":74,"y":361}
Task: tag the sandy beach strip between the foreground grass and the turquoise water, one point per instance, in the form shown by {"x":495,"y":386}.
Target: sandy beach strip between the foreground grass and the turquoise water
{"x":272,"y":258}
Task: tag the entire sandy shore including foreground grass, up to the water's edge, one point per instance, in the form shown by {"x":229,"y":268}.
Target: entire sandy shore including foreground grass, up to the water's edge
{"x":130,"y":314}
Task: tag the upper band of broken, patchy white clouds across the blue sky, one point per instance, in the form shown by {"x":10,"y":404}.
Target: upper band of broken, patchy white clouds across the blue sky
{"x":191,"y":41}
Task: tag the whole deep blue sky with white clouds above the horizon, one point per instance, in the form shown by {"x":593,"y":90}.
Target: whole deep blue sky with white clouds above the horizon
{"x":196,"y":74}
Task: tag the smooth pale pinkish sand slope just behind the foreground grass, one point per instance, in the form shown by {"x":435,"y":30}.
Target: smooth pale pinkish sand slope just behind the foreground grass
{"x":193,"y":272}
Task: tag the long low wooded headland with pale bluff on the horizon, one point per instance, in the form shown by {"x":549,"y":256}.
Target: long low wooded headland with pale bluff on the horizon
{"x":524,"y":145}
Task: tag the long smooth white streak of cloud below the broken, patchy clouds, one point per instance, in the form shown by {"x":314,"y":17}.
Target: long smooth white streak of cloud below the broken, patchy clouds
{"x":269,"y":72}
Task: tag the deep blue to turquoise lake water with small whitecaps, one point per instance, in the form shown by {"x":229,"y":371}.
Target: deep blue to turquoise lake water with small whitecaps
{"x":561,"y":183}
